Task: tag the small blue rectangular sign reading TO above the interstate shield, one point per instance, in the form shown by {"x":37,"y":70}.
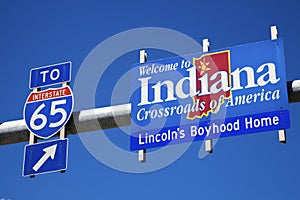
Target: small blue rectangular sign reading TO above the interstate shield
{"x":50,"y":75}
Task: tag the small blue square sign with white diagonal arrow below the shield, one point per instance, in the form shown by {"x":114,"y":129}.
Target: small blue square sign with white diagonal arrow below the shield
{"x":45,"y":157}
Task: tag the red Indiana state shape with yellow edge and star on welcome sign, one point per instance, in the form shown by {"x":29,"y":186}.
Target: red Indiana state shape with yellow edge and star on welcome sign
{"x":213,"y":73}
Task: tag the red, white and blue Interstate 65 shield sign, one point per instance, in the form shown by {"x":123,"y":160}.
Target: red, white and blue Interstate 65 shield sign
{"x":46,"y":112}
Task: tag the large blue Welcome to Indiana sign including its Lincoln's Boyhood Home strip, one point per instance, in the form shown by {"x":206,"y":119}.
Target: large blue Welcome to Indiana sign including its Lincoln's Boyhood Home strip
{"x":226,"y":92}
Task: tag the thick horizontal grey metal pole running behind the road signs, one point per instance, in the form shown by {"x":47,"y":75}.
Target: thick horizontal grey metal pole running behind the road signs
{"x":98,"y":119}
